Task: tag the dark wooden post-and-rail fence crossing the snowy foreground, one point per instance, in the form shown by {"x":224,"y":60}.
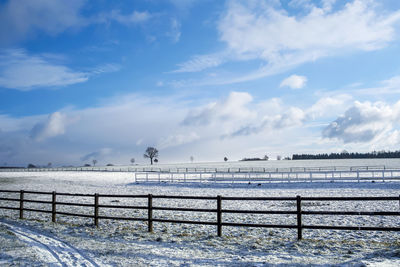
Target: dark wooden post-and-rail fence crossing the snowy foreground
{"x":298,"y":200}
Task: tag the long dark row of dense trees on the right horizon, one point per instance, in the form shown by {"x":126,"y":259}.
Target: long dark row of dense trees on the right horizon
{"x":352,"y":155}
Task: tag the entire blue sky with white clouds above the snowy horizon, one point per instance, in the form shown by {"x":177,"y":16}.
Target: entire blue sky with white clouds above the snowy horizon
{"x":83,"y":80}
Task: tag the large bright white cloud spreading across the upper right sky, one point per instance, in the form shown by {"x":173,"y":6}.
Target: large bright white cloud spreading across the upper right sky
{"x":262,"y":30}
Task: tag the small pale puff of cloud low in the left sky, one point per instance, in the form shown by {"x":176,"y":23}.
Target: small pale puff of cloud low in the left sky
{"x":53,"y":126}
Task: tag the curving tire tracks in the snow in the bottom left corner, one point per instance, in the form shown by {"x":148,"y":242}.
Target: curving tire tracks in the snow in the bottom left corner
{"x":51,"y":250}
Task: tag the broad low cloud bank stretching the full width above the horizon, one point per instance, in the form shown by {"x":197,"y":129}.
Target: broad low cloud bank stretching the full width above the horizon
{"x":236,"y":126}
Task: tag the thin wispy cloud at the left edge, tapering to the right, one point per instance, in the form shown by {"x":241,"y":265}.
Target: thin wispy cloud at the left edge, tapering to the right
{"x":19,"y":70}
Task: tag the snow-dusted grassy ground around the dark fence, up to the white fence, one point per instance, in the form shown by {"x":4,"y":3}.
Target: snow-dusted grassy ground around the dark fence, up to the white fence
{"x":74,"y":241}
